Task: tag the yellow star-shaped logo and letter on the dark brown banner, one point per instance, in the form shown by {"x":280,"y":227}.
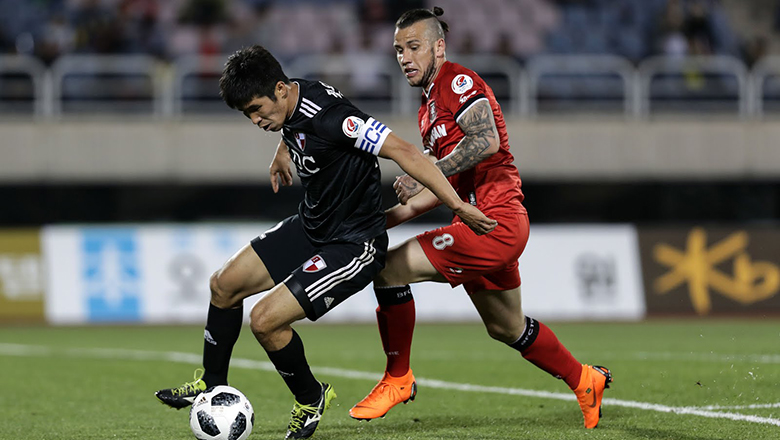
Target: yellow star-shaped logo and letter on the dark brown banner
{"x":750,"y":282}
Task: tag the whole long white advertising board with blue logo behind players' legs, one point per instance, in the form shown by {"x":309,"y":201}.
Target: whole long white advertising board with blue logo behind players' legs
{"x":159,"y":274}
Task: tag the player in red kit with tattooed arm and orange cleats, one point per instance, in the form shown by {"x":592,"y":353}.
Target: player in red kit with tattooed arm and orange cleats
{"x":464,"y":133}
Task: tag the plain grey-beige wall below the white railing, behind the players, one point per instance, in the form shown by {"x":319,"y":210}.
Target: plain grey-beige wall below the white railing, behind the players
{"x":232,"y":150}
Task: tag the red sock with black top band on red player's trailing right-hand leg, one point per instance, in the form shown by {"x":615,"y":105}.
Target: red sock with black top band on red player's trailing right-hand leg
{"x":539,"y":345}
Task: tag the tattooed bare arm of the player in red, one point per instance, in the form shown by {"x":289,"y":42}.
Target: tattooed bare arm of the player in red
{"x":480,"y":129}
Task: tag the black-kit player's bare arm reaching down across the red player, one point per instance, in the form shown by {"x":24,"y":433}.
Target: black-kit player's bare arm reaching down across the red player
{"x":414,"y":163}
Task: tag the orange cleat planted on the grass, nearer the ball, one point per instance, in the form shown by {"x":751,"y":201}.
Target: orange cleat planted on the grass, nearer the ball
{"x":389,"y":392}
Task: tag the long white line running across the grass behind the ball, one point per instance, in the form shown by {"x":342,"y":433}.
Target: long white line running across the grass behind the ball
{"x":195,"y":359}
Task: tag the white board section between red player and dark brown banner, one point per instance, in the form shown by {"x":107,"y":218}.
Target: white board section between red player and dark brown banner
{"x":582,"y":272}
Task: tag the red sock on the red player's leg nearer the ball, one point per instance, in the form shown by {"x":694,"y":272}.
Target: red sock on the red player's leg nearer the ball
{"x":396,"y":326}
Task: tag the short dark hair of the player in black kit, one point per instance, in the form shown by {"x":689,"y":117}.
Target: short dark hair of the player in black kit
{"x":250,"y":73}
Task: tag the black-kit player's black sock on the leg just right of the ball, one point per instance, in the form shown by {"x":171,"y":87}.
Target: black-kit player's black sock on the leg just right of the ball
{"x":291,"y":364}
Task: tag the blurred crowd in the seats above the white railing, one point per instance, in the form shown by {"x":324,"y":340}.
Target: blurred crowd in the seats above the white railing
{"x":168,"y":29}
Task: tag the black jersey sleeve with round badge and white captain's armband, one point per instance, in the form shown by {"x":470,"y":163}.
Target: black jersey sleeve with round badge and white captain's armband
{"x":345,"y":125}
